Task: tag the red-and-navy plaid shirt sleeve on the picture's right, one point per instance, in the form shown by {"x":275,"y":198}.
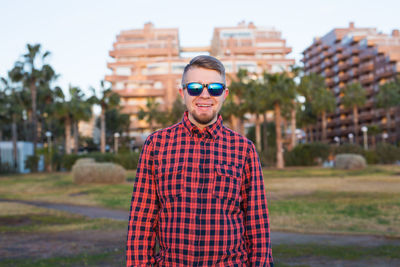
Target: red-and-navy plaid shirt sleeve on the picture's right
{"x":254,"y":204}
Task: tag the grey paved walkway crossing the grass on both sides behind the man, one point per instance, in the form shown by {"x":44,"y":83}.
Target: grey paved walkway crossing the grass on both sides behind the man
{"x":276,"y":237}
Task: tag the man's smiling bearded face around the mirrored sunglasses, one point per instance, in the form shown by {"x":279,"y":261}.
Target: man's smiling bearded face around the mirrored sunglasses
{"x":203,"y":109}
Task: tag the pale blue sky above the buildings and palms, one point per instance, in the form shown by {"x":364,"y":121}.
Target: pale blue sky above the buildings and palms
{"x":80,"y":34}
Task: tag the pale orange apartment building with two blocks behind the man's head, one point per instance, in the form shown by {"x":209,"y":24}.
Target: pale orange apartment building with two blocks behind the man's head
{"x":149,"y":62}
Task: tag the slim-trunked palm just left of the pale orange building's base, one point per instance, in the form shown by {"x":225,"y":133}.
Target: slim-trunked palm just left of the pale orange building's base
{"x":108,"y":100}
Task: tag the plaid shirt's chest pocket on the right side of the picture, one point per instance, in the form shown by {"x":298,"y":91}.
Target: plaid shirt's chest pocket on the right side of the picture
{"x":226,"y":182}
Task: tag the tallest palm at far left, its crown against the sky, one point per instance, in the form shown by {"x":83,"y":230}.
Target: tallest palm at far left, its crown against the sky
{"x":32,"y":77}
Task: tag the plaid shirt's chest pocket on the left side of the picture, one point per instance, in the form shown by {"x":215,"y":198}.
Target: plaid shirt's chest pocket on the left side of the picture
{"x":170,"y":181}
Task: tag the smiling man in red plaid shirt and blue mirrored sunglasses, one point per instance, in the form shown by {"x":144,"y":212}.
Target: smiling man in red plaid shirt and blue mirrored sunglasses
{"x":199,"y":187}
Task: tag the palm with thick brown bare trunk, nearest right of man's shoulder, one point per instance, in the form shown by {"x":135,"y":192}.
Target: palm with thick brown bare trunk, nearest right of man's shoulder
{"x":280,"y":89}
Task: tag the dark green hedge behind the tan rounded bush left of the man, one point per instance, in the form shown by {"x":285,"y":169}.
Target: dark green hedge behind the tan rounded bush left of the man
{"x":127,"y":160}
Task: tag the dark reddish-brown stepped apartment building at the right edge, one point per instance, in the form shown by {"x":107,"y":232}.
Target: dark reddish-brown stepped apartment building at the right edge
{"x":364,"y":55}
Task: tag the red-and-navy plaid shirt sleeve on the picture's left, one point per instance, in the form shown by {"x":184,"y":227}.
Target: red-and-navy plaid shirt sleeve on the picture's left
{"x":143,"y":219}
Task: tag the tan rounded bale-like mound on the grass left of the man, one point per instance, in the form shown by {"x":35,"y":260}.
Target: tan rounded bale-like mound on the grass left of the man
{"x":93,"y":172}
